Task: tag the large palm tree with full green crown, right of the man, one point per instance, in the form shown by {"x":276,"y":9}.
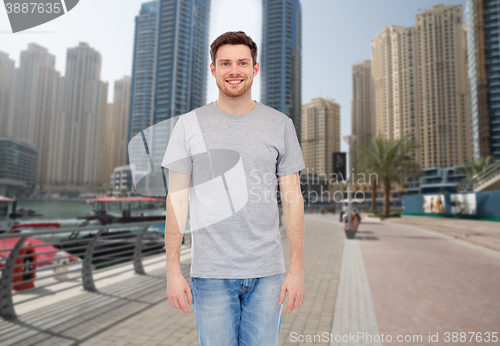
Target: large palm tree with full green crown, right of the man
{"x":391,"y":161}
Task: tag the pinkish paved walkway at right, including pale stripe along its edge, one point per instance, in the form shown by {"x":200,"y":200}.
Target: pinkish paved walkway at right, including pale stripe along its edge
{"x":423,"y":283}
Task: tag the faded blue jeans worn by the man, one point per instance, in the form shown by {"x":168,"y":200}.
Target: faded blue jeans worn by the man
{"x":243,"y":312}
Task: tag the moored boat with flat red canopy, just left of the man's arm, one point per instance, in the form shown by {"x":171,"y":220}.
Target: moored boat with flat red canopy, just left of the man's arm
{"x":109,"y":210}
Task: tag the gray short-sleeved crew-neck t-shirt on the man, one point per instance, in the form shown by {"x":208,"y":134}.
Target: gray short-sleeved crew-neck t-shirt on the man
{"x":234,"y":161}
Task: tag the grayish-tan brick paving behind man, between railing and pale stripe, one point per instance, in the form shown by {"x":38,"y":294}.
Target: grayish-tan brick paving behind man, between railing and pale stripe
{"x":134,"y":309}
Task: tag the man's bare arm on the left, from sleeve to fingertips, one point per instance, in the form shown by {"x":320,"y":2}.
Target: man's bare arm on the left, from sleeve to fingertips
{"x":175,"y":223}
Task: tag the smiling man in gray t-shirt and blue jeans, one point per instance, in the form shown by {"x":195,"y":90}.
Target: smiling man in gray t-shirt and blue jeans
{"x":244,"y":149}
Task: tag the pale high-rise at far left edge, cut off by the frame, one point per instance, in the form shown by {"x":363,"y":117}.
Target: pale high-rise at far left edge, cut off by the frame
{"x":7,"y":66}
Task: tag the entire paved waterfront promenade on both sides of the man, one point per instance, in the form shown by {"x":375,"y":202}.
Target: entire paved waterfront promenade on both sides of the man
{"x":395,"y":279}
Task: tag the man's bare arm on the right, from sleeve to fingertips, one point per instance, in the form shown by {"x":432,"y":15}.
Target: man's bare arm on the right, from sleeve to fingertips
{"x":293,"y":216}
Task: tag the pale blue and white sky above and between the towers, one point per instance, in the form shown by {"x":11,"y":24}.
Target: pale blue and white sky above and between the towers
{"x":336,"y":34}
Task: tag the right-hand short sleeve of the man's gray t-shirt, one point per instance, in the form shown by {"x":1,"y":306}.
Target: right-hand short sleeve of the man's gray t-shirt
{"x":291,"y":159}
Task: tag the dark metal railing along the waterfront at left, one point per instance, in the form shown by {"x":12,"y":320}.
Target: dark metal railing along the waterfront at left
{"x":68,"y":256}
